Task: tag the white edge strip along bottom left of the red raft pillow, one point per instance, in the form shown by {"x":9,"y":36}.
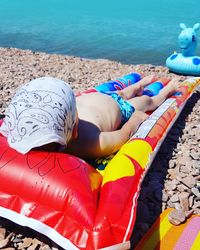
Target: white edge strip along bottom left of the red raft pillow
{"x":37,"y":226}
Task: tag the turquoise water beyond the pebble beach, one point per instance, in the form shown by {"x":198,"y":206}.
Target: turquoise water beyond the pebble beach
{"x":129,"y":31}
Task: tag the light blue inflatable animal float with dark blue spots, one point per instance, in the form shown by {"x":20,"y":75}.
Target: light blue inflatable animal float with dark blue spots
{"x":186,"y":63}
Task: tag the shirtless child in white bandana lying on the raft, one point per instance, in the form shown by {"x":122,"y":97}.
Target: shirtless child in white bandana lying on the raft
{"x":45,"y":111}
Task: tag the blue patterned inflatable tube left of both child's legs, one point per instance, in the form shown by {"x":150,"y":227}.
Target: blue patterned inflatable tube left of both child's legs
{"x":119,"y":83}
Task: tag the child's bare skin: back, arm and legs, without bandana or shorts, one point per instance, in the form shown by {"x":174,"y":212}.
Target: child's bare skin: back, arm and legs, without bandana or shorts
{"x":100,"y":131}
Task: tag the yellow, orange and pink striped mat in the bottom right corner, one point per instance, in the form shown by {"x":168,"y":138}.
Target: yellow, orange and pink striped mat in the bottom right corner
{"x":165,"y":236}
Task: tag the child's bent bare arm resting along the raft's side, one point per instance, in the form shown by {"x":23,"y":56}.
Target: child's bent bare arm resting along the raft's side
{"x":110,"y":142}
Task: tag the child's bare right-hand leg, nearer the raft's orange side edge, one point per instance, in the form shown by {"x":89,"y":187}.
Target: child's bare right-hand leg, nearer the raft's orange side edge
{"x":146,"y":103}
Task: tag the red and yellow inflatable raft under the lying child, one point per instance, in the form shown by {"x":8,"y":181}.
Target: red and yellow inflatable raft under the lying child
{"x":71,"y":202}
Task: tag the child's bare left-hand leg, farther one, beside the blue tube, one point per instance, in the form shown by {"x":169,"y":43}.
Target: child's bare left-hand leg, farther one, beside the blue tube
{"x":134,"y":89}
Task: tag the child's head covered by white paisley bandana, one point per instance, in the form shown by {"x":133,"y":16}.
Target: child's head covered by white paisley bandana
{"x":41,"y":112}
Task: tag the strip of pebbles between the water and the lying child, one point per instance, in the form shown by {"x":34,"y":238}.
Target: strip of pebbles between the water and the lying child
{"x":20,"y":66}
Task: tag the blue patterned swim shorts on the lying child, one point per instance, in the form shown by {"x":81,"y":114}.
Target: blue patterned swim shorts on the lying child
{"x":126,"y":108}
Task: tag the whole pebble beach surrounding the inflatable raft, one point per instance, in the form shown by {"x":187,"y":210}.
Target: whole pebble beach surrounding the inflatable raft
{"x":173,"y":179}
